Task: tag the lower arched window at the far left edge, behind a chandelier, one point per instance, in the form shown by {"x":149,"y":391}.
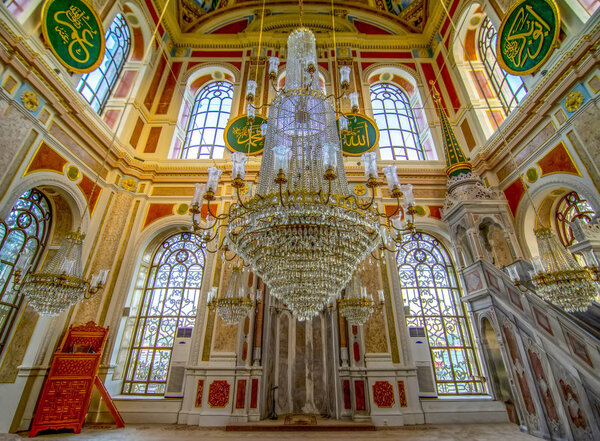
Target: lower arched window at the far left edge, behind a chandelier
{"x":26,"y":228}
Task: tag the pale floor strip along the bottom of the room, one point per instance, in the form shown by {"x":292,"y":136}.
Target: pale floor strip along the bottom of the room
{"x":464,"y":432}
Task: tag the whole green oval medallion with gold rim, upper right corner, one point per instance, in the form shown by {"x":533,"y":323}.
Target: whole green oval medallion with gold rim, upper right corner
{"x":527,"y":35}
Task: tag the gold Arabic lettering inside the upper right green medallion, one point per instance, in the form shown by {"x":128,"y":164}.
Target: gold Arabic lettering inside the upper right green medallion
{"x":525,"y":38}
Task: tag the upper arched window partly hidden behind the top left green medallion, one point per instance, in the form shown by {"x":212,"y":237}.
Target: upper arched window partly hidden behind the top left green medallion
{"x":97,"y":85}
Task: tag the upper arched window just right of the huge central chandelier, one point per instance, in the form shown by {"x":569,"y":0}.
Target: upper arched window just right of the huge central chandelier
{"x":398,"y":133}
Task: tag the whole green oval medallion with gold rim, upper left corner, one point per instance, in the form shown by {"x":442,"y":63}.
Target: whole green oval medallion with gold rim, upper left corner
{"x":74,"y":33}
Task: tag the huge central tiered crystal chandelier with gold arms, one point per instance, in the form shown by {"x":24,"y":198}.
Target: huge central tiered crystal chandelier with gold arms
{"x":303,"y":231}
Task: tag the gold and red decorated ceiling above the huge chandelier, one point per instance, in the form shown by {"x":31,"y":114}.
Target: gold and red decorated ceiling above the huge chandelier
{"x":382,"y":21}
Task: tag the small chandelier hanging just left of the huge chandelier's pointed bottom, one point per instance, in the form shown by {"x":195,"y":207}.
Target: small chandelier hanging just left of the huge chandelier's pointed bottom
{"x":235,"y":305}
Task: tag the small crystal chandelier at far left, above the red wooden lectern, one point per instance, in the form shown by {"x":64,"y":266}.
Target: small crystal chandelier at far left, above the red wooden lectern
{"x":60,"y":285}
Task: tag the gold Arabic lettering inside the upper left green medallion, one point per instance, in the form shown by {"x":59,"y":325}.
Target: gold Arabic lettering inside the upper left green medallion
{"x":78,"y":33}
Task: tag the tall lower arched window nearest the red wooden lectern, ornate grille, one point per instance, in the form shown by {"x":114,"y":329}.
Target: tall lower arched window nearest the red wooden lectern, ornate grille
{"x":169,"y":302}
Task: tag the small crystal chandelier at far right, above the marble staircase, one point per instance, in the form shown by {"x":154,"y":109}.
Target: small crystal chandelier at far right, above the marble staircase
{"x":558,"y":277}
